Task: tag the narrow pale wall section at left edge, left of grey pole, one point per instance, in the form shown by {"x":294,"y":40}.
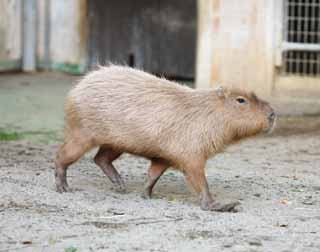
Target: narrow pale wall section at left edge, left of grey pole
{"x":10,"y":34}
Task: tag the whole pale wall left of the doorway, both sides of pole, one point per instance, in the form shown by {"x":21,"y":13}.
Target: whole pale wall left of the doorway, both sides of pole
{"x":60,"y":34}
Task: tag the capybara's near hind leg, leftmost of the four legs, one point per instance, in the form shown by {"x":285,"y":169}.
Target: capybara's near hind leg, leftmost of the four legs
{"x":68,"y":153}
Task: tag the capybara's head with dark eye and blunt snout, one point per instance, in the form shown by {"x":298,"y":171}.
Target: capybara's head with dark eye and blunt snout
{"x":246,"y":114}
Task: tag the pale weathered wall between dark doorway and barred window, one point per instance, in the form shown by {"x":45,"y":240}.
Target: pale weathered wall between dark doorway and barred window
{"x":235,"y":44}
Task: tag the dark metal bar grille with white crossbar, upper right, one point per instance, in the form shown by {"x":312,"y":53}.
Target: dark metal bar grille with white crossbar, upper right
{"x":301,"y":35}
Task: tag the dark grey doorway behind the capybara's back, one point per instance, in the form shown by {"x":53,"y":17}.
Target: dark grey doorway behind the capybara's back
{"x":158,"y":36}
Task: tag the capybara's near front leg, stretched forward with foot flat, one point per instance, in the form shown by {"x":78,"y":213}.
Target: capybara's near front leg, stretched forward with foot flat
{"x":197,"y":178}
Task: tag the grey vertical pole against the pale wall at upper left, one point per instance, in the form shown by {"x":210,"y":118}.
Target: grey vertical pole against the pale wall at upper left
{"x":29,"y":36}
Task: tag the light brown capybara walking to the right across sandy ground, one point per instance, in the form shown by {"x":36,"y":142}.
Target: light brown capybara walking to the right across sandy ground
{"x":121,"y":109}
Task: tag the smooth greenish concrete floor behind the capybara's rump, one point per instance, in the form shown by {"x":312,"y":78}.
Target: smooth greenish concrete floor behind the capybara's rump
{"x":31,"y":105}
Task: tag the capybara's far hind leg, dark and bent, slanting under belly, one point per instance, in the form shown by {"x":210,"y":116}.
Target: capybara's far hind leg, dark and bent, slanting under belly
{"x":104,"y":159}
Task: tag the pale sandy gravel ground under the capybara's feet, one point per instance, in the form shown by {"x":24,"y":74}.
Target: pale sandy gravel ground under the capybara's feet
{"x":276,"y":179}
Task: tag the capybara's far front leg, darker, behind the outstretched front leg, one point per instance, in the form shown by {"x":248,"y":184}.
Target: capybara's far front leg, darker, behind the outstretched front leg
{"x":157,"y":168}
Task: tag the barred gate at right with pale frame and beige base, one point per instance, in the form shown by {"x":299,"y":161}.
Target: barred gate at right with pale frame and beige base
{"x":298,"y":58}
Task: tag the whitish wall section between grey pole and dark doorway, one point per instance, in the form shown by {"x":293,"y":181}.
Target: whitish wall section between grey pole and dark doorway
{"x":68,"y":35}
